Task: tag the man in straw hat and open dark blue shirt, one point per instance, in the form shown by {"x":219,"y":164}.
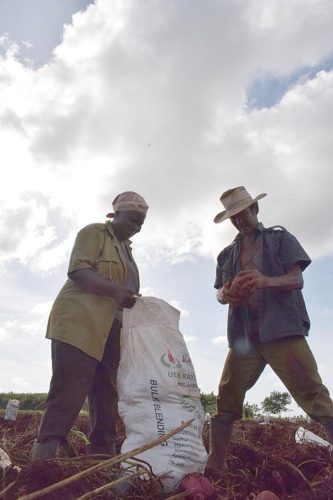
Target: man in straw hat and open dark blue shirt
{"x":260,"y":276}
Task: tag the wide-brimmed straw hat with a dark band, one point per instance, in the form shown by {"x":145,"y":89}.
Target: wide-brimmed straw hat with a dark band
{"x":234,"y":201}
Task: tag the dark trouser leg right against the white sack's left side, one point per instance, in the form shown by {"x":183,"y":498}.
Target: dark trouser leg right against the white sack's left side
{"x":103,"y":396}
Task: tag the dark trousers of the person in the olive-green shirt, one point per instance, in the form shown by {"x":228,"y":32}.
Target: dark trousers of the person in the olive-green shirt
{"x":75,"y":376}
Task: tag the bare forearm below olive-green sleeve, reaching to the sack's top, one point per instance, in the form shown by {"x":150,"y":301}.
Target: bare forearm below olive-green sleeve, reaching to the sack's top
{"x":91,"y":282}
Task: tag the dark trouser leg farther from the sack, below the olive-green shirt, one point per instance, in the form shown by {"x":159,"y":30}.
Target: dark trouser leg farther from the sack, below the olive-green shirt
{"x":73,"y":372}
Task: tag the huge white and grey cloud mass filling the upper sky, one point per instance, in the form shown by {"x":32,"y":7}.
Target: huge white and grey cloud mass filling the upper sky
{"x":155,"y":107}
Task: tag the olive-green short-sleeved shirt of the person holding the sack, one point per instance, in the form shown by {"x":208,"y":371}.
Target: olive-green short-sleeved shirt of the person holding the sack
{"x":84,"y":319}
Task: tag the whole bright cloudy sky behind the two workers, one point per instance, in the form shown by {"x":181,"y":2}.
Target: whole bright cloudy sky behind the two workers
{"x":178,"y":100}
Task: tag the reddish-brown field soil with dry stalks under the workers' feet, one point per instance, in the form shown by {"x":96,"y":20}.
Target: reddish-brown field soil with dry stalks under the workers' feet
{"x":262,"y":457}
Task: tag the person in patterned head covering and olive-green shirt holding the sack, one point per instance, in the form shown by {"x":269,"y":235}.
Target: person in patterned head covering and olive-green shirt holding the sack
{"x":84,"y":327}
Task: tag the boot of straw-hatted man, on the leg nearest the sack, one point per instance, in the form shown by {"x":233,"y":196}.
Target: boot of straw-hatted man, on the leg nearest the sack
{"x":220,"y":437}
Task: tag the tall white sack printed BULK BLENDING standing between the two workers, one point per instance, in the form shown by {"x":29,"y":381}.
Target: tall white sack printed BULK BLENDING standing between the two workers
{"x":158,"y":390}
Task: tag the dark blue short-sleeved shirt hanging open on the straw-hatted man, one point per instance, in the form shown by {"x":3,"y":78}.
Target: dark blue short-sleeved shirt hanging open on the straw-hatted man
{"x":280,"y":314}
